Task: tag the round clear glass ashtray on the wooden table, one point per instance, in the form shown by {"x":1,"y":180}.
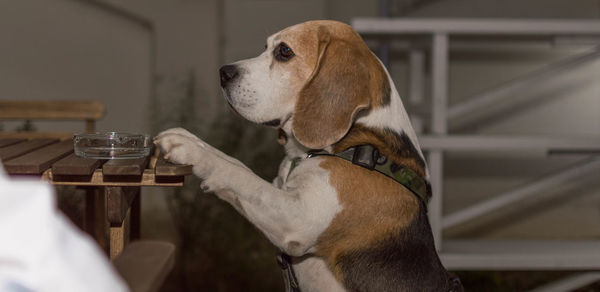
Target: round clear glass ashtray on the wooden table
{"x":111,"y":145}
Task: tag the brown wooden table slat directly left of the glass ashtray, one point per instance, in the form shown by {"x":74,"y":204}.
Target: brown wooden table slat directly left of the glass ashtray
{"x":37,"y":161}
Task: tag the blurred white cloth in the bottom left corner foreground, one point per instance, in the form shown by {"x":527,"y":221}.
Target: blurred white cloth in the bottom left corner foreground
{"x":41,"y":250}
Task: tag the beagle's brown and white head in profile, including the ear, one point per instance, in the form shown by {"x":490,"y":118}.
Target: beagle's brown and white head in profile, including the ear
{"x":319,"y":73}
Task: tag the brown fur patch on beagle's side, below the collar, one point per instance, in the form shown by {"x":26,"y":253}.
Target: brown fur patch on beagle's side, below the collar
{"x":374,"y":207}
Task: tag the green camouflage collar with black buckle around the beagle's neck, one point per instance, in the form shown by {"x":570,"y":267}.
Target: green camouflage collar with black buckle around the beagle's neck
{"x":369,"y":157}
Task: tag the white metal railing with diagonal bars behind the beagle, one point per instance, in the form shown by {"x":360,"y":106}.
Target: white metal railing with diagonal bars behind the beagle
{"x":432,"y":38}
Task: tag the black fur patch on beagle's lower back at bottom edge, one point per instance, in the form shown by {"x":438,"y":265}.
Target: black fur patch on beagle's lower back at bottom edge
{"x":406,"y":261}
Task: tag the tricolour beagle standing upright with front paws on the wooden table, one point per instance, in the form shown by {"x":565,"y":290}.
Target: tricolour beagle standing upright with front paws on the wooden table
{"x":344,"y":225}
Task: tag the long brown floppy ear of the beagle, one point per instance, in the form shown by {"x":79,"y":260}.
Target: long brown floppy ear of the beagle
{"x":338,"y":89}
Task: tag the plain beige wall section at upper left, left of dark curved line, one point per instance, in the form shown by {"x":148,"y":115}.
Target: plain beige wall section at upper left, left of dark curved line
{"x":71,"y":50}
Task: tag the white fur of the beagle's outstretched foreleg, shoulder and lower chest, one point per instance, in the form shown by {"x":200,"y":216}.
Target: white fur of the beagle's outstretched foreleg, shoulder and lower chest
{"x":292,"y":212}
